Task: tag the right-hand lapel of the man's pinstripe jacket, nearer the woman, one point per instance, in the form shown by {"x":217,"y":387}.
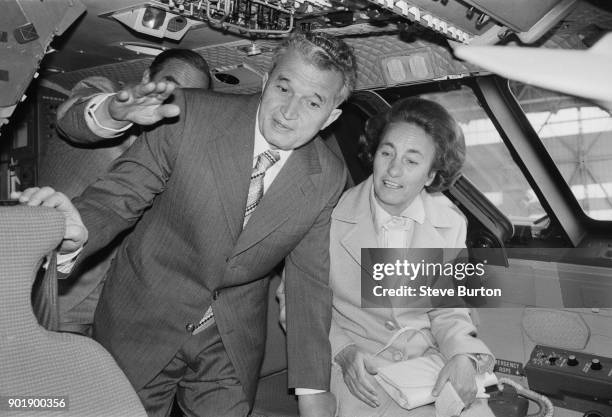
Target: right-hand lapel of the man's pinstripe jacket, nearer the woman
{"x":288,"y":194}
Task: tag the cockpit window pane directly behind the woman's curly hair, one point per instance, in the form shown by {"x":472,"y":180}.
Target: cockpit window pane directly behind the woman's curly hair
{"x":489,"y":165}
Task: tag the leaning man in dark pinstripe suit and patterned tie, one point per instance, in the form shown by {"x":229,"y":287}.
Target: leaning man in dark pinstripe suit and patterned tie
{"x":183,"y":310}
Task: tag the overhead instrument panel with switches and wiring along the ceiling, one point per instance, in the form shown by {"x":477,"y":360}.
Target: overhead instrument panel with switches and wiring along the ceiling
{"x":478,"y":21}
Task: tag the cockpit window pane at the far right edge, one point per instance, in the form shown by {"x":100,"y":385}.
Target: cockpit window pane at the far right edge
{"x":578,"y":136}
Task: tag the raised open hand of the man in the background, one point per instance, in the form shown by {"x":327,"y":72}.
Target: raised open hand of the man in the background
{"x":142,"y":104}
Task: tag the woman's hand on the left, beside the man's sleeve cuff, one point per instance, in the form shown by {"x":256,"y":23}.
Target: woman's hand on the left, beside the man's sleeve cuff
{"x":358,"y":369}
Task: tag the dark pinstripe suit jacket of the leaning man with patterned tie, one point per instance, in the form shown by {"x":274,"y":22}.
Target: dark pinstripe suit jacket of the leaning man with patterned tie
{"x":184,"y":185}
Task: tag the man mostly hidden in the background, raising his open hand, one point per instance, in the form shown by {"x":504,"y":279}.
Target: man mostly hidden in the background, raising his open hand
{"x":72,"y":165}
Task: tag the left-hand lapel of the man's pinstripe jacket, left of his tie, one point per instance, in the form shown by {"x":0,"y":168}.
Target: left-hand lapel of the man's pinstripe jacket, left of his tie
{"x":231,"y":160}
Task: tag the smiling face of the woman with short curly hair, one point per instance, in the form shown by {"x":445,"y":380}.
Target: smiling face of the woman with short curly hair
{"x":402,"y":166}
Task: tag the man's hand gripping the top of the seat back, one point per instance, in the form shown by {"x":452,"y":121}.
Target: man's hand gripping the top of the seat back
{"x":76,"y":233}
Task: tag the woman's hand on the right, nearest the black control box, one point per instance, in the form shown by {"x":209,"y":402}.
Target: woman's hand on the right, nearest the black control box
{"x":461,"y":372}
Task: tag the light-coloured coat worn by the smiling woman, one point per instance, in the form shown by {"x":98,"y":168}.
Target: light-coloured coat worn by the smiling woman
{"x":450,"y":329}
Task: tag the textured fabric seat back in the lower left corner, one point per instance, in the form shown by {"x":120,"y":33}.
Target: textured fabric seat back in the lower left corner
{"x":39,"y":363}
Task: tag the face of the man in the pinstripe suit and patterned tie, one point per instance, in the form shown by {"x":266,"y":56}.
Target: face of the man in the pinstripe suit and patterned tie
{"x":298,"y":100}
